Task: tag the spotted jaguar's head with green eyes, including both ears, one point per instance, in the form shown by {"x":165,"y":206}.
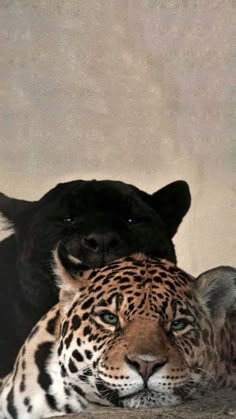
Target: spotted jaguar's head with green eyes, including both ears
{"x":140,"y":332}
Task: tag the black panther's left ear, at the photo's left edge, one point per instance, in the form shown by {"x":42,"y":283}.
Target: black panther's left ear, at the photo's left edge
{"x":10,"y":208}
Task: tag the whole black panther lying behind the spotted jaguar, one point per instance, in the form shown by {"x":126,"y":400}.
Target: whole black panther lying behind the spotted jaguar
{"x":97,"y":221}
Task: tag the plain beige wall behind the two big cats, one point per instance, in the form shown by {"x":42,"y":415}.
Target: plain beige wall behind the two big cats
{"x":139,"y":90}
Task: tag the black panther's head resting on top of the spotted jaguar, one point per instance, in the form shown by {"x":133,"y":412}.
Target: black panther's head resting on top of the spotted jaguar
{"x":98,"y":221}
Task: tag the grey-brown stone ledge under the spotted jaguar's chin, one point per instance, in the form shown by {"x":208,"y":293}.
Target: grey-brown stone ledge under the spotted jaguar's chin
{"x":220,"y":405}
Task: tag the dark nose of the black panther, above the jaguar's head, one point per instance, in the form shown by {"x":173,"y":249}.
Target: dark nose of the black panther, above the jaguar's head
{"x":104,"y":242}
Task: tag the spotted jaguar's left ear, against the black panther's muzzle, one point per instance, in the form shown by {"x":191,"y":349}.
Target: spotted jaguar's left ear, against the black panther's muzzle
{"x":71,"y":275}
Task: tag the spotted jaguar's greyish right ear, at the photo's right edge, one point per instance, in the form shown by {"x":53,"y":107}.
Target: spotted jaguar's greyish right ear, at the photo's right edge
{"x":217,"y":290}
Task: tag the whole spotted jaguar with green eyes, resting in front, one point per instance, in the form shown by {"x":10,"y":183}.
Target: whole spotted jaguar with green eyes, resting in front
{"x":115,"y":339}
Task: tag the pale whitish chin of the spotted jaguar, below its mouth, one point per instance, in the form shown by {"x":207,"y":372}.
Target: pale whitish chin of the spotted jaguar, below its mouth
{"x":148,"y":398}
